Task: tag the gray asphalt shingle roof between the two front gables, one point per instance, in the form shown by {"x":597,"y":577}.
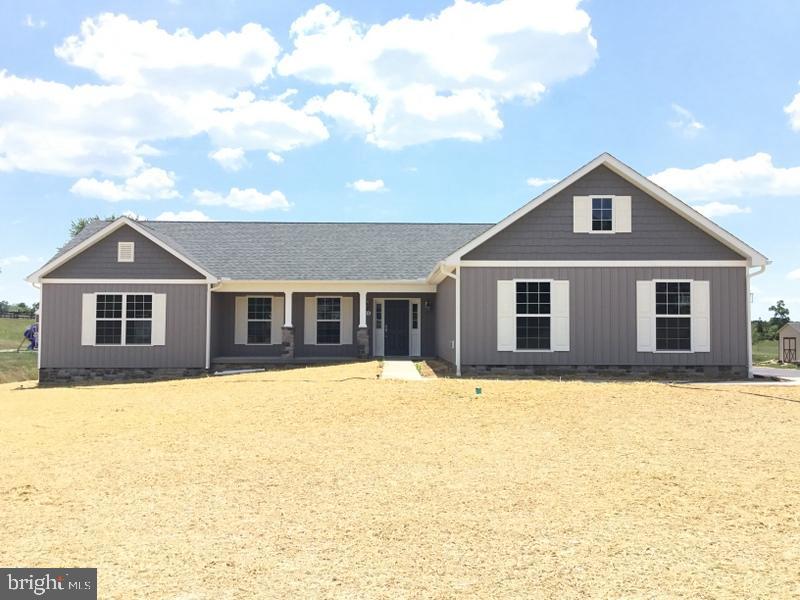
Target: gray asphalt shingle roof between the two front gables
{"x":311,"y":251}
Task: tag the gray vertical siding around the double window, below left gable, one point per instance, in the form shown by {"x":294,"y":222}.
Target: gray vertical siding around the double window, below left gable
{"x":185,"y":329}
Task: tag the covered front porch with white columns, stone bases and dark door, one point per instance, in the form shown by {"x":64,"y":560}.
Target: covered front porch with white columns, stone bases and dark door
{"x":260,"y":323}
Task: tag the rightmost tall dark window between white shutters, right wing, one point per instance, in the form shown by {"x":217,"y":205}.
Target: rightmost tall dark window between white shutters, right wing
{"x":673,"y":316}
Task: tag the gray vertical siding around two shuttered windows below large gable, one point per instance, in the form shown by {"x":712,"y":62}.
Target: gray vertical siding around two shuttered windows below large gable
{"x":603,"y":316}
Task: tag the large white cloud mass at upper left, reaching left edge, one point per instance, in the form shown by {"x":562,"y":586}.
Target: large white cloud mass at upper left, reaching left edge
{"x":160,"y":86}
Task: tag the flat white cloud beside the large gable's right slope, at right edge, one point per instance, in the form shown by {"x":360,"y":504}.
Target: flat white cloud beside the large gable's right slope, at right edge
{"x":729,"y":178}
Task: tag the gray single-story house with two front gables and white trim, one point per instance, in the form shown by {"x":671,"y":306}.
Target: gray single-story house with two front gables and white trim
{"x":605,"y":270}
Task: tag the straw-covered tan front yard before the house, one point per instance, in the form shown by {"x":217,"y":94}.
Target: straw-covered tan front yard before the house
{"x":325,"y":482}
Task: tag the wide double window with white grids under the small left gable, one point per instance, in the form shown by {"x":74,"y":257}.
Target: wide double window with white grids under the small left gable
{"x":124,"y":319}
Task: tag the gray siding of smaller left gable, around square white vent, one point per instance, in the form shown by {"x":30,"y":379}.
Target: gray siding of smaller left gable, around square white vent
{"x":99,"y":261}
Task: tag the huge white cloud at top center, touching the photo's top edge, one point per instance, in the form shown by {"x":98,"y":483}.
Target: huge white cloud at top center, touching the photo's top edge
{"x":442,"y":76}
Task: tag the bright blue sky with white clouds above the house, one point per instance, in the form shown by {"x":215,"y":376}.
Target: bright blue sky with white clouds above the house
{"x":414,"y":111}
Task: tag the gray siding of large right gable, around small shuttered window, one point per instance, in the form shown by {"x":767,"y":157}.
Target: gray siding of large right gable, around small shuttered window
{"x":657,"y":232}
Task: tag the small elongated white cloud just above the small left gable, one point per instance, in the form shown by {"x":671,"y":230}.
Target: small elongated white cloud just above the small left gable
{"x":149,"y":184}
